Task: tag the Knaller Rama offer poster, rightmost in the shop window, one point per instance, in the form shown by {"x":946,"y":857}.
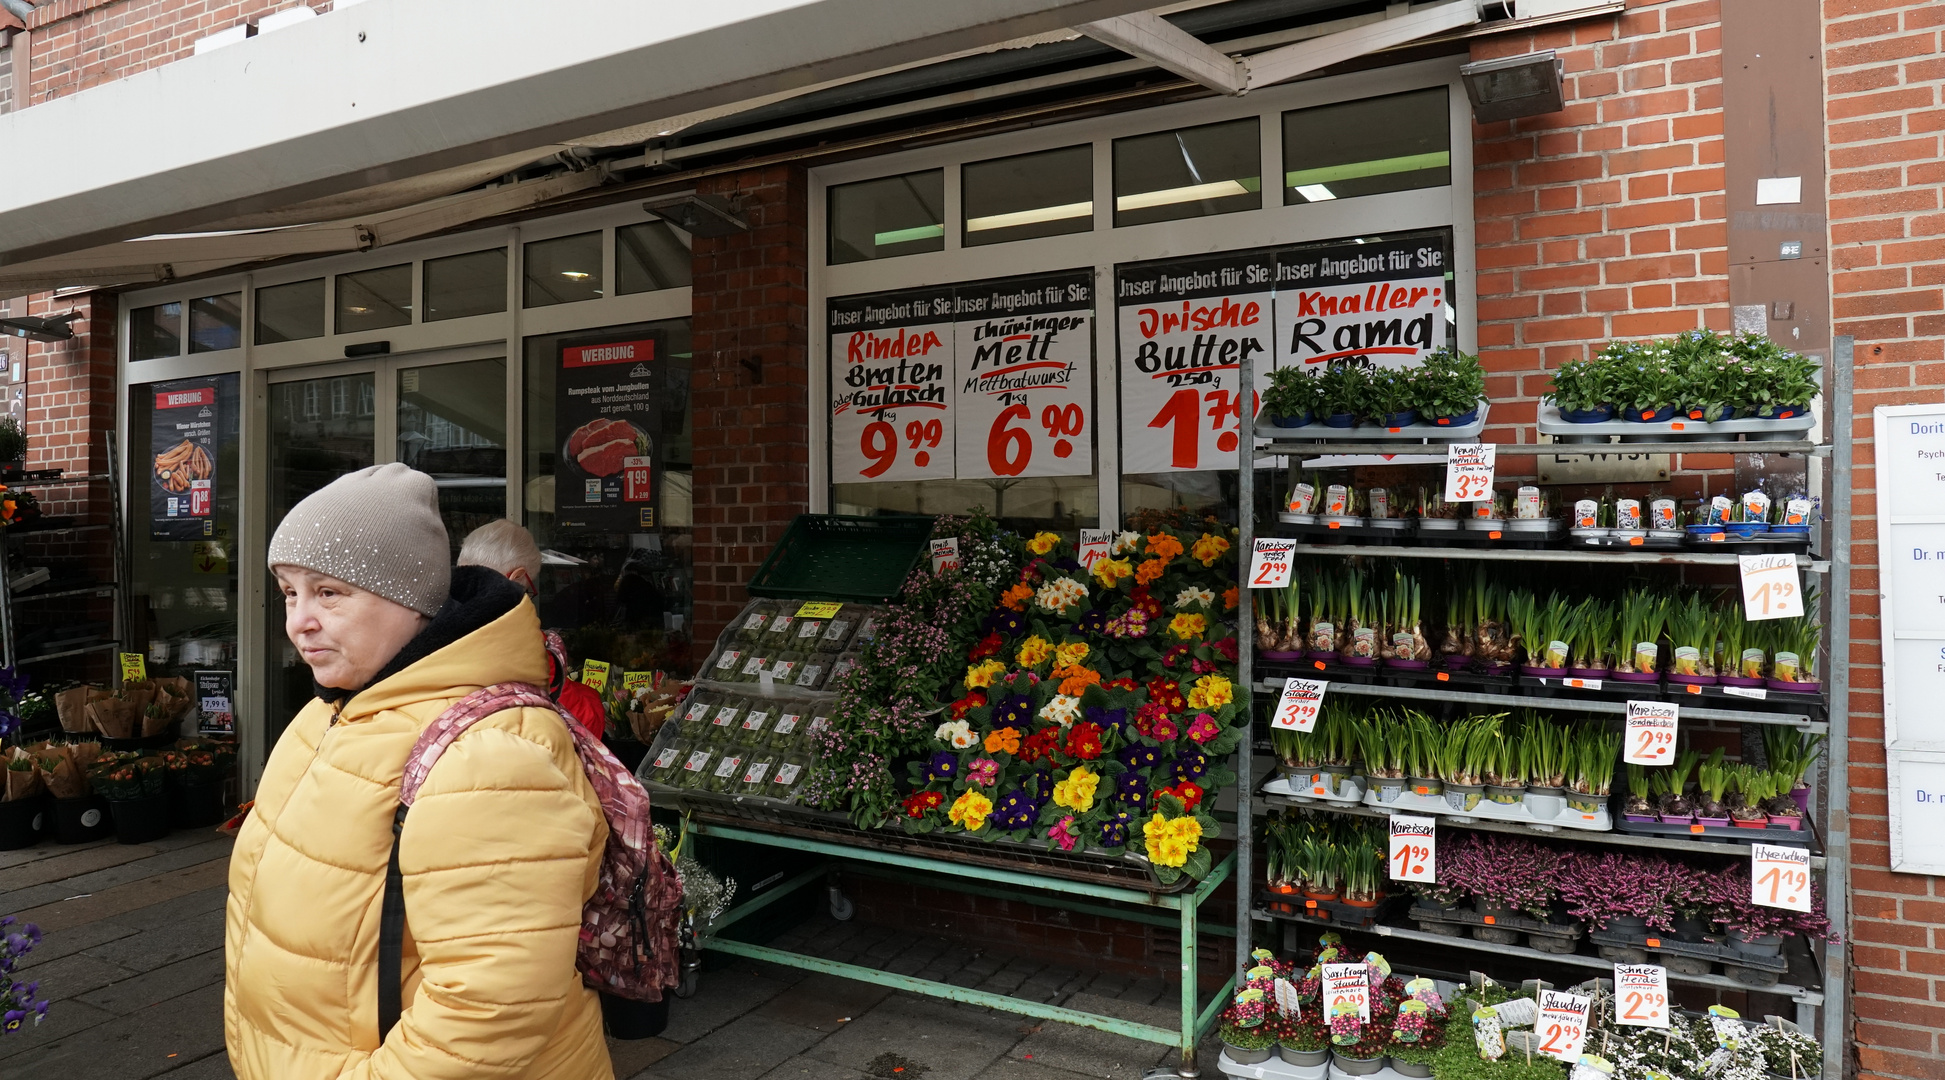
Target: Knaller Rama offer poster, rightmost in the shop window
{"x":1380,"y":303}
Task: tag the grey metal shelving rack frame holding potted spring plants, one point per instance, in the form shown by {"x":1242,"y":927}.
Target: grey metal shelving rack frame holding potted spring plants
{"x":1835,"y":610}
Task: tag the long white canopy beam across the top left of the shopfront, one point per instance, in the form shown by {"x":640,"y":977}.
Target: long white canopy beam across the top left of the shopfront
{"x":398,"y":89}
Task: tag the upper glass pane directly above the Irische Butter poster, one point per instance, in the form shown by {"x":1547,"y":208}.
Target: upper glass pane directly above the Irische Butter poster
{"x":1187,"y":174}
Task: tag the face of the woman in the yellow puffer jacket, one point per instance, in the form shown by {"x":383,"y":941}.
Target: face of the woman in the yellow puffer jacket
{"x":345,"y":633}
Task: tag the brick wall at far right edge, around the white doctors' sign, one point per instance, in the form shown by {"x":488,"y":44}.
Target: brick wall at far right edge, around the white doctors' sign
{"x":1886,"y":69}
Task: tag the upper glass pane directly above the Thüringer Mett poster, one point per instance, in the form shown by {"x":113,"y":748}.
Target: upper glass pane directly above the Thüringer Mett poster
{"x":1047,"y":194}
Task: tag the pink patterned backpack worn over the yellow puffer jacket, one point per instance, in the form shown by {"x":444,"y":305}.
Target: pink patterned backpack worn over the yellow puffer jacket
{"x":629,"y":945}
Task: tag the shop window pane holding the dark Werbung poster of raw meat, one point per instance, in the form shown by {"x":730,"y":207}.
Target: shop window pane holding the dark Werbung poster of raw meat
{"x":619,"y":573}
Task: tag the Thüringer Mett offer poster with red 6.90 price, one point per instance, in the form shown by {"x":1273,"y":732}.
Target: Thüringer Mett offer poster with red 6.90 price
{"x":1024,"y":377}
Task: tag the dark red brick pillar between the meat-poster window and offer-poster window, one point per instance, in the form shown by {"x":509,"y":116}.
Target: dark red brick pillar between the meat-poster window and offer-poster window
{"x":750,"y":392}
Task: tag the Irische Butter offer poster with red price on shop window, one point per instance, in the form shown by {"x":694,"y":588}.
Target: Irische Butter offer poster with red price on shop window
{"x":1184,"y":328}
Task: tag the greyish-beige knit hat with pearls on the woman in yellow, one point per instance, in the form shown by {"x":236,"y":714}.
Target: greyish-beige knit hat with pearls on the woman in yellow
{"x":378,"y":530}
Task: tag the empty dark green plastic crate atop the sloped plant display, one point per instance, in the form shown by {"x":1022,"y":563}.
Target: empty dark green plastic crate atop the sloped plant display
{"x":835,"y":558}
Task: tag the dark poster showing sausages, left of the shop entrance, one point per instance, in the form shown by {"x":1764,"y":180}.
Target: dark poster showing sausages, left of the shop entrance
{"x":182,"y":493}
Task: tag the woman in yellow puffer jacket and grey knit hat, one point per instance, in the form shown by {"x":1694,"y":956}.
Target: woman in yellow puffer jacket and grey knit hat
{"x":499,"y":855}
